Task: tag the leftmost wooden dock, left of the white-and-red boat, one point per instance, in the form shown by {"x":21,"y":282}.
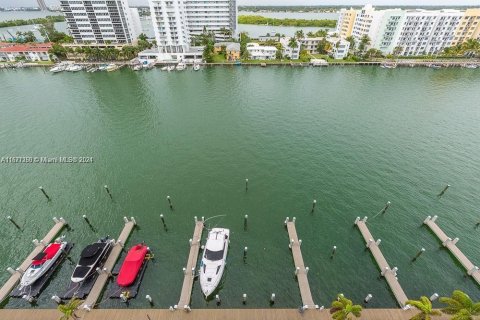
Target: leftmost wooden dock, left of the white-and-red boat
{"x":17,"y":275}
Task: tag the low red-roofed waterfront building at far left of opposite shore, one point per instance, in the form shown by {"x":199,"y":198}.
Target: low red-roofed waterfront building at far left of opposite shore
{"x":28,"y":52}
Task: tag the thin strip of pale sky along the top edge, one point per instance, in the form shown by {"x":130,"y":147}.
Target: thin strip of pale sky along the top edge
{"x":32,"y":3}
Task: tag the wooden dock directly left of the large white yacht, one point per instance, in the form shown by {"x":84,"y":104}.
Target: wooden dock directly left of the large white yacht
{"x":188,"y":279}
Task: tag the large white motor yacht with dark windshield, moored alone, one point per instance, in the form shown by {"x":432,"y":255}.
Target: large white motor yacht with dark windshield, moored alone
{"x":214,"y":260}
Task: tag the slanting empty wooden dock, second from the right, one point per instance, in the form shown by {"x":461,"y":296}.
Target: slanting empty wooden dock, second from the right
{"x":389,"y":274}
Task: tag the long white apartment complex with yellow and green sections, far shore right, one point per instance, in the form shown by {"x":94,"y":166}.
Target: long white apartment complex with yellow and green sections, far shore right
{"x":411,"y":32}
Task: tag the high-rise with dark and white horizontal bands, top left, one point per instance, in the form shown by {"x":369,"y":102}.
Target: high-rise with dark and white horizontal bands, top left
{"x":101,"y":21}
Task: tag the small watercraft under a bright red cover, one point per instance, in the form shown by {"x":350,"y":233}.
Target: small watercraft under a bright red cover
{"x":131,"y":265}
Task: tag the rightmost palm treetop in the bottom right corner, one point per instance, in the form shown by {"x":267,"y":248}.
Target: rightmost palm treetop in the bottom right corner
{"x":461,"y":306}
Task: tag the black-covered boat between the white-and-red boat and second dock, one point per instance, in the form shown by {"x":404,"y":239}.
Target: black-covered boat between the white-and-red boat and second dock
{"x":90,"y":258}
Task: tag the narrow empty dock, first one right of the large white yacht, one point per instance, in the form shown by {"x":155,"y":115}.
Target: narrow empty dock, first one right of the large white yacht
{"x":300,"y":270}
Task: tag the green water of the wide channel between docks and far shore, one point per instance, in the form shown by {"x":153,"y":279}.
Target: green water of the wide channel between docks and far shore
{"x":352,"y":138}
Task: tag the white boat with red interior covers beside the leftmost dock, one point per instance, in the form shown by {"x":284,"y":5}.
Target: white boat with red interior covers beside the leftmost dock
{"x":42,"y":262}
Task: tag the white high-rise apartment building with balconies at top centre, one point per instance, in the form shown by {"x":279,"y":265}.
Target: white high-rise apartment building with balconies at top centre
{"x":176,"y":21}
